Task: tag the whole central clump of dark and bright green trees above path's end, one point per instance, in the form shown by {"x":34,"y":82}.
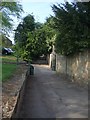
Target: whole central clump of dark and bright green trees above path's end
{"x":34,"y":38}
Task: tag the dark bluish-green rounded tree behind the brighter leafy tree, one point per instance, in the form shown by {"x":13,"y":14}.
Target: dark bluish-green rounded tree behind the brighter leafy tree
{"x":28,"y":25}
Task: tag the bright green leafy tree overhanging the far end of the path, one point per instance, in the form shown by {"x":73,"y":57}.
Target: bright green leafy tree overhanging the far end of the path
{"x":40,"y":41}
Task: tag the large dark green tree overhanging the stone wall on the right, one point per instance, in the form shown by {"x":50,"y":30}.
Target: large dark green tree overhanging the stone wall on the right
{"x":71,"y":22}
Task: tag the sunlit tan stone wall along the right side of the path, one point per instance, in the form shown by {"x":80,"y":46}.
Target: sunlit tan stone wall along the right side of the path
{"x":77,"y":66}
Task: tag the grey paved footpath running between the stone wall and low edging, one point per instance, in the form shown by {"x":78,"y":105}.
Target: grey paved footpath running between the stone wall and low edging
{"x":49,"y":96}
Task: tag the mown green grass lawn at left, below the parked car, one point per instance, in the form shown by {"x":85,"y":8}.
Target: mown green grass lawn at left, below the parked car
{"x":7,"y":68}
